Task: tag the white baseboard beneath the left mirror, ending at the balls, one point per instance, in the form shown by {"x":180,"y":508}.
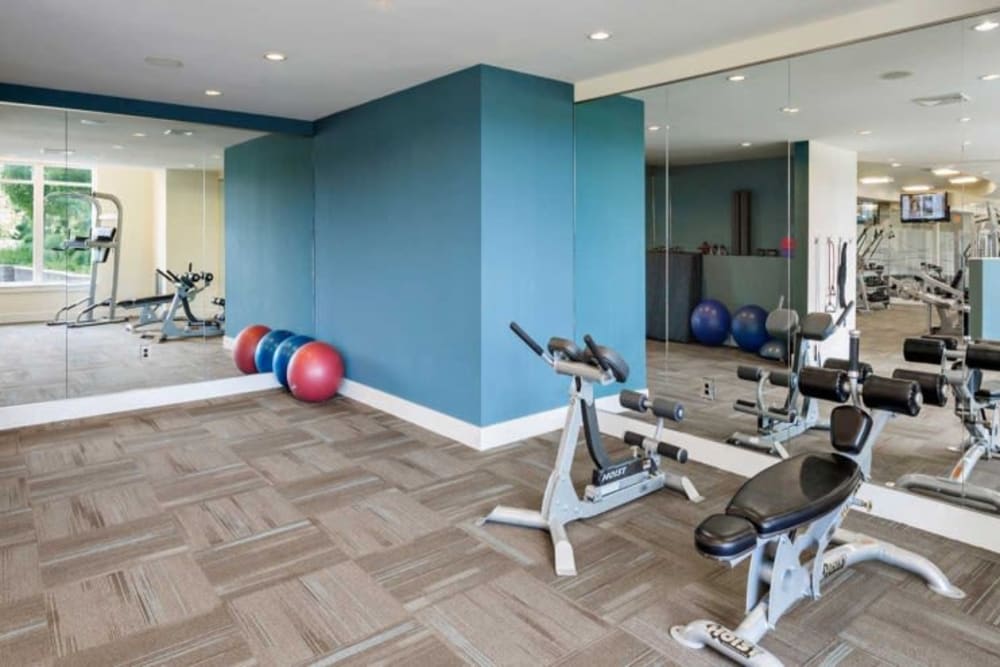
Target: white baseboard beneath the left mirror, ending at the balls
{"x":47,"y":412}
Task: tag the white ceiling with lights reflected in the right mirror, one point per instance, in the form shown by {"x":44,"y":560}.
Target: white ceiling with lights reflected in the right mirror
{"x":840,"y":93}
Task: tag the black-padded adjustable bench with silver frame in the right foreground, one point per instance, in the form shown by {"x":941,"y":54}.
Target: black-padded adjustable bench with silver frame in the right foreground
{"x":795,"y":508}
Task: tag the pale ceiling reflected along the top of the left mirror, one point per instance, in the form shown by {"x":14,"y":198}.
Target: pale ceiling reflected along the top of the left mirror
{"x":39,"y":134}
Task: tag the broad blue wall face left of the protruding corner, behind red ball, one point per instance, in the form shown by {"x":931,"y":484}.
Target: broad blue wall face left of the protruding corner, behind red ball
{"x":398,"y":242}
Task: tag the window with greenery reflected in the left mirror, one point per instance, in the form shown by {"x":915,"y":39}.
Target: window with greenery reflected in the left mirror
{"x":34,"y":220}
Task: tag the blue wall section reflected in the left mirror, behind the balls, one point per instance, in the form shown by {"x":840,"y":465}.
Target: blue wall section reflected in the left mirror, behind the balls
{"x":269,"y":234}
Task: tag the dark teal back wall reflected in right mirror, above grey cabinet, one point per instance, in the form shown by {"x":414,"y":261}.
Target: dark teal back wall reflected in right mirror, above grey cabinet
{"x":701,"y":202}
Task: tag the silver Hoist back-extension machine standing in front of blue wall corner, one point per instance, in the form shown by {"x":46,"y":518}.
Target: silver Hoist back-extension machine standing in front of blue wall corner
{"x":614,"y":482}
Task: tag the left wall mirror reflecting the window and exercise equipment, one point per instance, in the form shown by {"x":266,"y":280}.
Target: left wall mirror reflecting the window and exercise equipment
{"x":112,"y":263}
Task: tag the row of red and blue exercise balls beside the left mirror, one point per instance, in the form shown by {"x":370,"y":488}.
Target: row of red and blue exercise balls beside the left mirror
{"x":310,"y":369}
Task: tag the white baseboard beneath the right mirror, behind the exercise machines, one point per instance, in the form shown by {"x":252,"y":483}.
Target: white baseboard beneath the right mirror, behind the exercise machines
{"x":956,"y":523}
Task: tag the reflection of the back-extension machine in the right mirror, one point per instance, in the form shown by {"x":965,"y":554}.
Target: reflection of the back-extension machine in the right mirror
{"x":797,"y":412}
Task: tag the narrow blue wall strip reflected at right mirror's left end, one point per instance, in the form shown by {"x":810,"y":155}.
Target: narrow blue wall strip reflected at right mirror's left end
{"x":610,"y":236}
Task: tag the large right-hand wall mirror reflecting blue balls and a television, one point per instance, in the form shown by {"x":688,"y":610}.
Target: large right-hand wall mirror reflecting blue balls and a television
{"x":792,"y":201}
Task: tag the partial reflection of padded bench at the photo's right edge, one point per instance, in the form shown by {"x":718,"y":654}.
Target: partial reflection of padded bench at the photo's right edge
{"x":976,"y":405}
